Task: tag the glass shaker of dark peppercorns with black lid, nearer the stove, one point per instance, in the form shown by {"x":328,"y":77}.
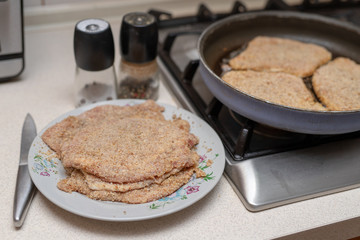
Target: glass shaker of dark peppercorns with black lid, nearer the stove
{"x":139,"y":73}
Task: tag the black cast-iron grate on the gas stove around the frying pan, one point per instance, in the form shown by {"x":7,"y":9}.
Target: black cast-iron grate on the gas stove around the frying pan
{"x":242,"y":137}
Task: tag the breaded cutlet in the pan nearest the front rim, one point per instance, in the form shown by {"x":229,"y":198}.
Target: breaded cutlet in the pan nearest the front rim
{"x":279,"y":88}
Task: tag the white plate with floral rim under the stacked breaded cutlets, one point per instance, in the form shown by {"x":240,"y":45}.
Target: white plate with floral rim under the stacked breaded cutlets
{"x":46,"y":171}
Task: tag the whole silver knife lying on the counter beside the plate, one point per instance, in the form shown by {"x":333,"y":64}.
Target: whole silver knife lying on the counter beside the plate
{"x":25,"y":189}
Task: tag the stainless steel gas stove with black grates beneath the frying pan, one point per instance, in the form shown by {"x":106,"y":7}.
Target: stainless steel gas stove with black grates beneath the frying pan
{"x":266,"y":167}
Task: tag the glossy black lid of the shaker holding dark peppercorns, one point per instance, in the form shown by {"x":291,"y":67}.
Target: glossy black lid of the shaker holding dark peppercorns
{"x":138,"y":37}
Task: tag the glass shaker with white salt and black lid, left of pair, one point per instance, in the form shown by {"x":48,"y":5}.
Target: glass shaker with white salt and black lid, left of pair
{"x":95,"y":78}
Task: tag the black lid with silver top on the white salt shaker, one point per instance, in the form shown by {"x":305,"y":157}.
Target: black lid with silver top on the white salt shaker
{"x":93,"y":45}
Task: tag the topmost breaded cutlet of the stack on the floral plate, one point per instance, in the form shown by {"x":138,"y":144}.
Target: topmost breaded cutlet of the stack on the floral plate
{"x":129,"y":149}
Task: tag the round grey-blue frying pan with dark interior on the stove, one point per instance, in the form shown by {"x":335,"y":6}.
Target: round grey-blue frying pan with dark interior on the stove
{"x":340,"y":38}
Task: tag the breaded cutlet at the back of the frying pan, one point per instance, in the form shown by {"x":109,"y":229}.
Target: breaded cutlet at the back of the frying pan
{"x":274,"y":54}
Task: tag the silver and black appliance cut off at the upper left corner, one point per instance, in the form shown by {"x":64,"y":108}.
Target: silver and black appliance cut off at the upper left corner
{"x":11,"y":39}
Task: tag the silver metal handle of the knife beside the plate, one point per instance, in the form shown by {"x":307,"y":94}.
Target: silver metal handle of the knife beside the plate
{"x":24,"y":193}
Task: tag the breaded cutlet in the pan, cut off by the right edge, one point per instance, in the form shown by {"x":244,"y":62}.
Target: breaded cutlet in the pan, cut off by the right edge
{"x":337,"y":84}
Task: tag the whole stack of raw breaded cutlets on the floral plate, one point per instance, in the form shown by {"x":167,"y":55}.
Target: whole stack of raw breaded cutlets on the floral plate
{"x":128,"y":154}
